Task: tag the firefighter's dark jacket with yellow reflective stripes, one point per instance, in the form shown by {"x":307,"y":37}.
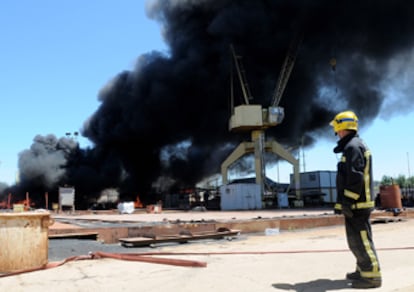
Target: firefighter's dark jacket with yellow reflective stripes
{"x":354,"y":177}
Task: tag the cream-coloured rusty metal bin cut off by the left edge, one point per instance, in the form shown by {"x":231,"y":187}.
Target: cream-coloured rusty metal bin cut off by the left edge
{"x":24,"y":240}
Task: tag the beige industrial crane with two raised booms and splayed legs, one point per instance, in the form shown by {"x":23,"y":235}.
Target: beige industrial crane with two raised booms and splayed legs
{"x":256,"y":118}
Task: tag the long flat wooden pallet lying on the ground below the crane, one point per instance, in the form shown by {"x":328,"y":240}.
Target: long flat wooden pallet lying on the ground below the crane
{"x":183,"y":237}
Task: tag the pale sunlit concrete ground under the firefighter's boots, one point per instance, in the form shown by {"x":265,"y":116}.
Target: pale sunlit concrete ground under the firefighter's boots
{"x":298,"y":260}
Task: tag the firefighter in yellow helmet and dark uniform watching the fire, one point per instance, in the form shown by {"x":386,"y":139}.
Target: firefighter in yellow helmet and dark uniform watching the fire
{"x":355,"y":199}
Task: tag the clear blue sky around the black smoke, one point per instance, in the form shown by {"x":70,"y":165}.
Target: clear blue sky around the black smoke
{"x":57,"y":55}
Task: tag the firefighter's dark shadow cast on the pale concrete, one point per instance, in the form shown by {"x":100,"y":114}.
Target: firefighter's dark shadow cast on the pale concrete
{"x":319,"y":285}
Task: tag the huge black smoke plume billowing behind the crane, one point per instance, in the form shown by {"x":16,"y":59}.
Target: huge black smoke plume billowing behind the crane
{"x":167,"y":120}
